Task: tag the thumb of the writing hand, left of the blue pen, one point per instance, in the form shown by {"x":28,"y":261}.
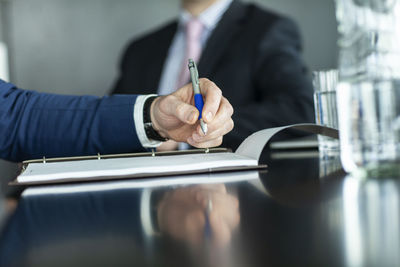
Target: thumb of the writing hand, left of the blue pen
{"x":173,"y":106}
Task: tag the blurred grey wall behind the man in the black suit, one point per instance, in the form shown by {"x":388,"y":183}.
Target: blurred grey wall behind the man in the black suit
{"x":73,"y":46}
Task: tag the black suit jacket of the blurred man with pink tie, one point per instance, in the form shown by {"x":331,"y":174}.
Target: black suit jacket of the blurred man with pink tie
{"x":253,"y":55}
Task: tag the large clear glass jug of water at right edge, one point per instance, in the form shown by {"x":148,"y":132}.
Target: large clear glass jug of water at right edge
{"x":369,"y":90}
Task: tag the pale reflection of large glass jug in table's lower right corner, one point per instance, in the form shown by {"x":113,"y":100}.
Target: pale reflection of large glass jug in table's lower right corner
{"x":371,"y":217}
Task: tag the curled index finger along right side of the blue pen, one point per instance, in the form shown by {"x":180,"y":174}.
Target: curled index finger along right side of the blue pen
{"x":212,"y":99}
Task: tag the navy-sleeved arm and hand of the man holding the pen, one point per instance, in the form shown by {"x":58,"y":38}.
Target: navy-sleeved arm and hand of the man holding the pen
{"x":33,"y":125}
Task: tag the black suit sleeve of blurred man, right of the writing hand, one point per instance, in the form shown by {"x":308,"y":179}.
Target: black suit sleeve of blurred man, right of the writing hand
{"x":281,"y":82}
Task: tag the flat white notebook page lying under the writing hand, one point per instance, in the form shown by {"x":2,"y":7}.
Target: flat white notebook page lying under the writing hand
{"x":134,"y":167}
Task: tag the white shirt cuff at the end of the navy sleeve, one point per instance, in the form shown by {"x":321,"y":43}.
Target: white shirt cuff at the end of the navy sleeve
{"x":138,"y":119}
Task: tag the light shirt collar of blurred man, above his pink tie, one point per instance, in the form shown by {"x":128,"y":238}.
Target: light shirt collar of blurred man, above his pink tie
{"x":208,"y":17}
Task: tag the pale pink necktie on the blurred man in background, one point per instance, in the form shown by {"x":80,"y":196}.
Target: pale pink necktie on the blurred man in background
{"x":194,"y":29}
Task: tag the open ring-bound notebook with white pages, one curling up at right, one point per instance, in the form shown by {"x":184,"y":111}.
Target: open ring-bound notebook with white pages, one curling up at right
{"x":143,"y":165}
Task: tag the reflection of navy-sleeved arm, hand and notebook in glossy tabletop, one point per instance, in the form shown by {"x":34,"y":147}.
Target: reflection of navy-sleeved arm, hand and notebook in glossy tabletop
{"x":69,"y":226}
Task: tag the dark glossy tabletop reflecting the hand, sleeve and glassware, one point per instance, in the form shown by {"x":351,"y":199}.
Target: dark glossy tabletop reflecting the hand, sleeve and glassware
{"x":303,"y":211}
